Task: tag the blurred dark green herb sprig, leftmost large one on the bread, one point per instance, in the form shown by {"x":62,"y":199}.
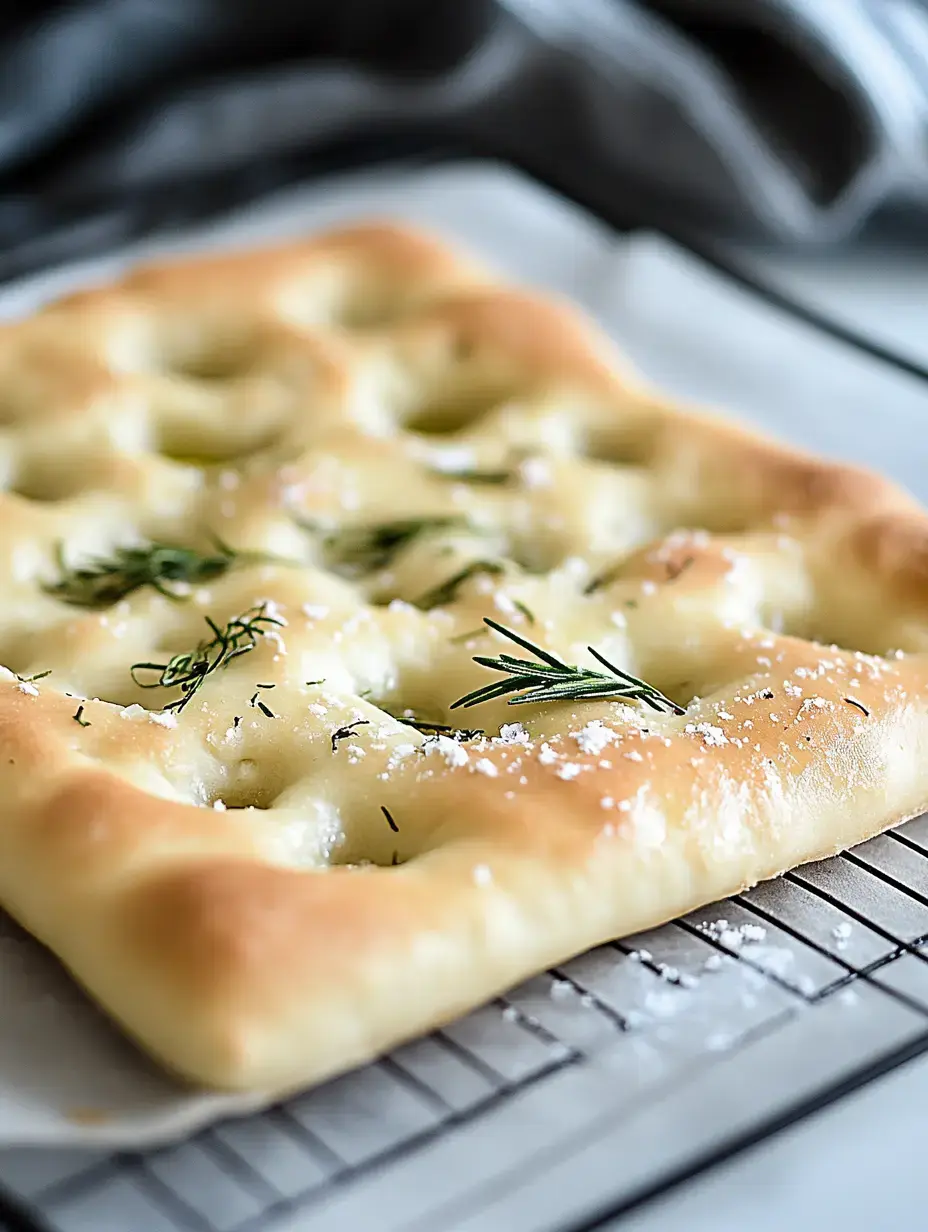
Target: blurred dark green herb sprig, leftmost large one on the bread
{"x":104,"y":581}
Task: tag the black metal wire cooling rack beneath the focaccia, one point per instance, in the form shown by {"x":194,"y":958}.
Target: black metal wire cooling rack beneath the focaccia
{"x":805,"y":987}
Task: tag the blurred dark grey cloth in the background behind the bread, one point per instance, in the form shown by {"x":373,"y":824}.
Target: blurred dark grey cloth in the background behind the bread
{"x":794,"y":125}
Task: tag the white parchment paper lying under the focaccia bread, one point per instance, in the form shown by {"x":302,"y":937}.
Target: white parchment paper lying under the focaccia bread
{"x":698,"y":338}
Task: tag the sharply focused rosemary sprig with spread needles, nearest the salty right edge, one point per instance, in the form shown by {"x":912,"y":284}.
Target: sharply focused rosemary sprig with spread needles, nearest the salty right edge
{"x":553,"y":681}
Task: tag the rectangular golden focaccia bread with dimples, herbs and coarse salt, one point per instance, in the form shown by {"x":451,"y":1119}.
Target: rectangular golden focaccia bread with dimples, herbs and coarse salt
{"x":266,"y":514}
